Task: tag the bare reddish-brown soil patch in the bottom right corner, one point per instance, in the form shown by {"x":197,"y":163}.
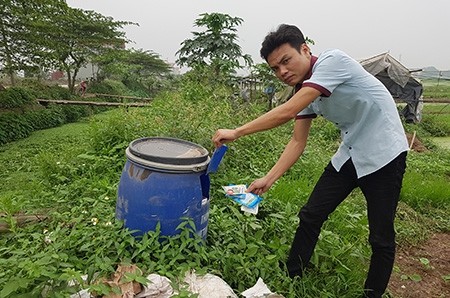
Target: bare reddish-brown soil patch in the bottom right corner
{"x":413,"y":278}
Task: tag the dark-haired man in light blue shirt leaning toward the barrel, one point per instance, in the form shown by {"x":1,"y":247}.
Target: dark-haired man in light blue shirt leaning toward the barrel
{"x":371,"y":156}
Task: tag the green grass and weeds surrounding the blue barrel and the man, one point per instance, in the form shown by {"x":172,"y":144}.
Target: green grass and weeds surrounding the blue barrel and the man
{"x":68,"y":176}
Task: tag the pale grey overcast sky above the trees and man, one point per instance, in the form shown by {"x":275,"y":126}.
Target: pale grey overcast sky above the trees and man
{"x":415,"y":32}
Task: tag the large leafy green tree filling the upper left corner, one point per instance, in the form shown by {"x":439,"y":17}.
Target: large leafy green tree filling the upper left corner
{"x":49,"y":33}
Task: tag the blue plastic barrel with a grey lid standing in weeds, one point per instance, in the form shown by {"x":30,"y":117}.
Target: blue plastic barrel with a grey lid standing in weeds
{"x":164,"y":181}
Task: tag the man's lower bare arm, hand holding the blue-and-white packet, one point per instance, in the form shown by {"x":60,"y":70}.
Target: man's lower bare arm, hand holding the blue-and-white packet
{"x":292,"y":152}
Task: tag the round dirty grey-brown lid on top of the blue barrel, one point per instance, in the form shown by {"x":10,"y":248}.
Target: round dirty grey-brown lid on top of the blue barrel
{"x":165,"y":150}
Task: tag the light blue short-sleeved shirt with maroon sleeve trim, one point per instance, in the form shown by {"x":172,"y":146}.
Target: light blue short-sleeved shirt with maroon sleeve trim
{"x":361,"y":107}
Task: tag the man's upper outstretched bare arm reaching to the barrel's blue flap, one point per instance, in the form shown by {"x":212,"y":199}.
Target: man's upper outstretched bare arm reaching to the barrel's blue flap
{"x":271,"y":119}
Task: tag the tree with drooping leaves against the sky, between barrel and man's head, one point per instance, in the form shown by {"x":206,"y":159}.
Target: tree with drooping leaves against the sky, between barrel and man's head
{"x":215,"y":46}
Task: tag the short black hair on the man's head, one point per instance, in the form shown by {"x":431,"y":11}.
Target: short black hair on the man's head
{"x":284,"y":34}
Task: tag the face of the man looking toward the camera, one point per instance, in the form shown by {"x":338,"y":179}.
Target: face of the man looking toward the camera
{"x":290,"y":65}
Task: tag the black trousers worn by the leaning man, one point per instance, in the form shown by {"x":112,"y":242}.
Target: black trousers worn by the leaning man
{"x":381,"y":190}
